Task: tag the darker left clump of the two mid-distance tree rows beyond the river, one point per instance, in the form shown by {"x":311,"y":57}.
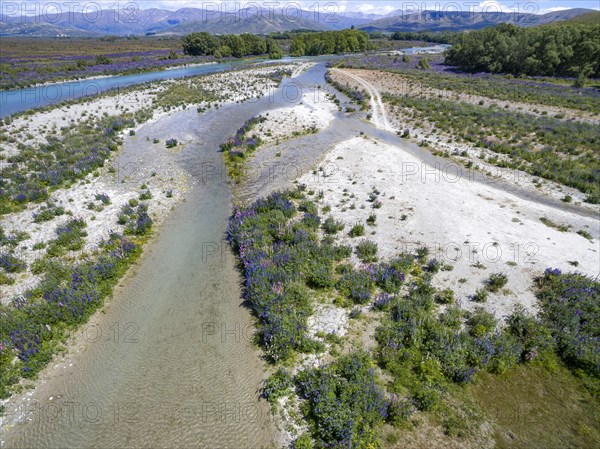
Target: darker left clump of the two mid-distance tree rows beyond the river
{"x":224,"y":46}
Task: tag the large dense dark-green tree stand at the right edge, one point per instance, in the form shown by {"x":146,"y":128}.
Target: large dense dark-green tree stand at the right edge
{"x":558,"y":50}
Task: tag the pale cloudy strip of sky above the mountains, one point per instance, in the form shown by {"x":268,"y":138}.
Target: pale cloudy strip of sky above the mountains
{"x":369,"y":6}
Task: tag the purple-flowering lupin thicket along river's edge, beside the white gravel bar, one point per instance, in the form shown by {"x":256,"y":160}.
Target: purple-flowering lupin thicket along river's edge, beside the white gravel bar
{"x":279,"y":258}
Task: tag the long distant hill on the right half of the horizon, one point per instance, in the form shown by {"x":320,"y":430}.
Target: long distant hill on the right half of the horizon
{"x":464,"y":20}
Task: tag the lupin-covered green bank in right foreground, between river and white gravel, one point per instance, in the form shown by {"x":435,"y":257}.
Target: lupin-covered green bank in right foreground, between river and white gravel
{"x":429,"y":355}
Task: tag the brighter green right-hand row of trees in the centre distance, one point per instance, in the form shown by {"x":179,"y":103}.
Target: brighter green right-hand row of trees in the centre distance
{"x":329,"y":42}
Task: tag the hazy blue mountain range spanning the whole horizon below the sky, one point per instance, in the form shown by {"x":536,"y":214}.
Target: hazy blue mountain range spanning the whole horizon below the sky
{"x":186,"y":20}
